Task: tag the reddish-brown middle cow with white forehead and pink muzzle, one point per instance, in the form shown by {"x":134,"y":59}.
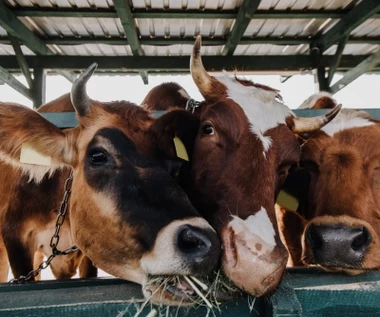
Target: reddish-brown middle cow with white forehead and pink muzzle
{"x":240,"y":154}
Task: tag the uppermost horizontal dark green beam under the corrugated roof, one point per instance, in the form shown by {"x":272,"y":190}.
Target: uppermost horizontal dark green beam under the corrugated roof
{"x":177,"y":14}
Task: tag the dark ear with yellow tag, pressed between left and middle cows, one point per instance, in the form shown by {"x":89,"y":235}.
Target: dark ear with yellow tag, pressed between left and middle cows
{"x":179,"y":124}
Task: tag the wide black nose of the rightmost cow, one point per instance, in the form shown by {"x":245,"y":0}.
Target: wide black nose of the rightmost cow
{"x":338,"y":245}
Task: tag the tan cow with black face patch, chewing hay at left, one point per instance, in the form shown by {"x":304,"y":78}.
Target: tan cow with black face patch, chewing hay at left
{"x":126,"y":213}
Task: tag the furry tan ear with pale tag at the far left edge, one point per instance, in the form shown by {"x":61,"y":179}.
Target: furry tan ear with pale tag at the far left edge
{"x":23,"y":129}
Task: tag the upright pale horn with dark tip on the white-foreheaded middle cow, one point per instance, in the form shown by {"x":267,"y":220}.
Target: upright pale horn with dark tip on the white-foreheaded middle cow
{"x":200,"y":76}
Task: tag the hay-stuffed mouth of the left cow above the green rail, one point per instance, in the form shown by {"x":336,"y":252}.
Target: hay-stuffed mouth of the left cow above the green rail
{"x":188,"y":290}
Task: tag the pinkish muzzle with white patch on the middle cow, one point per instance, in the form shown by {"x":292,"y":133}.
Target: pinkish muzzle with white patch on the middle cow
{"x":252,"y":259}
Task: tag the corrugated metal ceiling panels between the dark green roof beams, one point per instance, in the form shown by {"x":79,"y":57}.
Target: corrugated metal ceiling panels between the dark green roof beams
{"x":73,"y":27}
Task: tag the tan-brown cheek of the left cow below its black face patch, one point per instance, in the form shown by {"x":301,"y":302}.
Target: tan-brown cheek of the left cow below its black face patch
{"x":105,"y":238}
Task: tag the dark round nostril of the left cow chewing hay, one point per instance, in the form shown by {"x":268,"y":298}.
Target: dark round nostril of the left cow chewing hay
{"x":192,"y":240}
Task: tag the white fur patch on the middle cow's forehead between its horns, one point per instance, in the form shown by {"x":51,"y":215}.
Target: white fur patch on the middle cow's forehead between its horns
{"x":262,"y":109}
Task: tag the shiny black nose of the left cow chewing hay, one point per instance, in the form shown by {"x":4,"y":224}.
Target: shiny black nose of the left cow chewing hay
{"x":200,"y":246}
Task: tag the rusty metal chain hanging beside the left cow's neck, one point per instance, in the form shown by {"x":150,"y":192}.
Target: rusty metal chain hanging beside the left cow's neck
{"x":55,"y":238}
